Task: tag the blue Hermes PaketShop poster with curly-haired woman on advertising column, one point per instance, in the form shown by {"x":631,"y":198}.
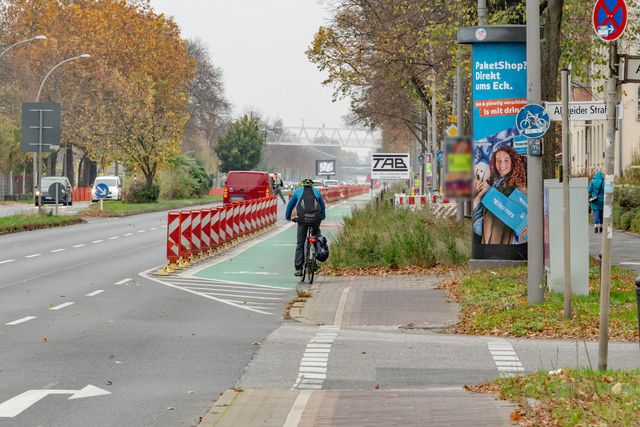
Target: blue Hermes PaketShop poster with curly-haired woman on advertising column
{"x":500,"y":182}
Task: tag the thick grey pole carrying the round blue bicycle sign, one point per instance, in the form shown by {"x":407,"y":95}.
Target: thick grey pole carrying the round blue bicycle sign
{"x":535,"y":268}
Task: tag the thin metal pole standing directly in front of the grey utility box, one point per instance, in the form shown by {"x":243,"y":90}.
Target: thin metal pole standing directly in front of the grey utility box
{"x":566,"y":205}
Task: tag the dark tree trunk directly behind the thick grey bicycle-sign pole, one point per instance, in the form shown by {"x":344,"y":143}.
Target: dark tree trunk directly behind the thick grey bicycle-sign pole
{"x":550,"y":64}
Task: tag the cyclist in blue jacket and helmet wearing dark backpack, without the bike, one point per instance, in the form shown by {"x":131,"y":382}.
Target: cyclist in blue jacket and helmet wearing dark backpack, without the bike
{"x":310,"y":211}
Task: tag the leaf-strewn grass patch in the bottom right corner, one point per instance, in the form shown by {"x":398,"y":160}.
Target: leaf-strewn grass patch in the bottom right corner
{"x":576,"y":397}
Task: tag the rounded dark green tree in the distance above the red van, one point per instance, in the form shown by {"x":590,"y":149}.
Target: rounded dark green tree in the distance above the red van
{"x":240,"y":148}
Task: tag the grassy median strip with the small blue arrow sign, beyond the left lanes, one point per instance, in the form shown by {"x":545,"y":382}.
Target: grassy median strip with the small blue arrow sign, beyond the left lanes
{"x":119,"y":208}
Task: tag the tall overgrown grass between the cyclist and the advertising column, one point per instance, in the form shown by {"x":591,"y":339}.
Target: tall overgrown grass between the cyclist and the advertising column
{"x":397,"y":239}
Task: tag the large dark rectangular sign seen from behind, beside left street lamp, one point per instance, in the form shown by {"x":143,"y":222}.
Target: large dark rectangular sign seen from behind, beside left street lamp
{"x":40,"y":126}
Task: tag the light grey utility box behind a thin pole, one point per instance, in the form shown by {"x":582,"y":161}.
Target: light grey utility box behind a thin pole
{"x":579,"y":235}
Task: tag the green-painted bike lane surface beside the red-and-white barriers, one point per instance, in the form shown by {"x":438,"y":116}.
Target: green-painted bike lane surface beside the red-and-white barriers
{"x":269,"y":260}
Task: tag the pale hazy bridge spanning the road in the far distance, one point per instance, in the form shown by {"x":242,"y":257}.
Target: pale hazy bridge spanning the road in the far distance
{"x":323,"y":137}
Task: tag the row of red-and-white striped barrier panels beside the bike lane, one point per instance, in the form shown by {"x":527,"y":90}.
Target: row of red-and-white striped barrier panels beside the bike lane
{"x":195,"y":235}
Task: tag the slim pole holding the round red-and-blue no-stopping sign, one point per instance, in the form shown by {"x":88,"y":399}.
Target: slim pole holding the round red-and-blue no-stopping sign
{"x":612,"y":96}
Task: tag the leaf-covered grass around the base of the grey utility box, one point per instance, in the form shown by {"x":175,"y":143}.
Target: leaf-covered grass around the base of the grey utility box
{"x":495,"y":303}
